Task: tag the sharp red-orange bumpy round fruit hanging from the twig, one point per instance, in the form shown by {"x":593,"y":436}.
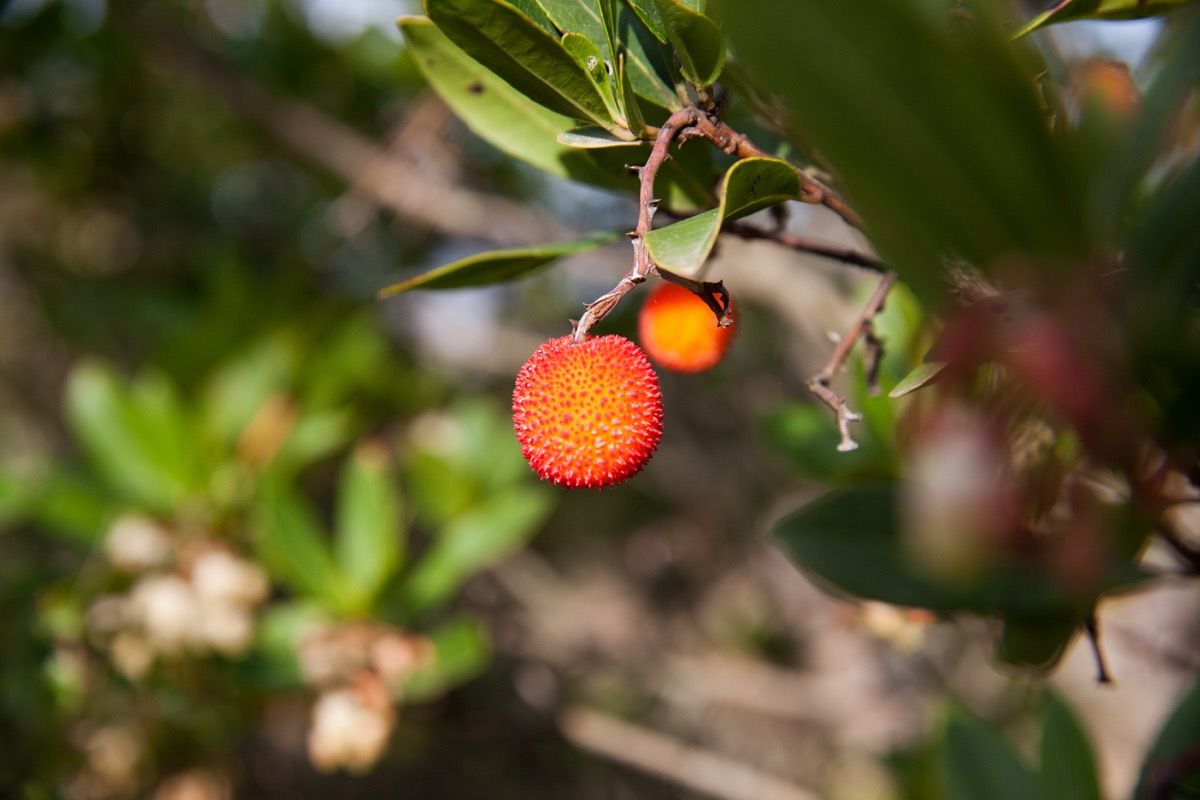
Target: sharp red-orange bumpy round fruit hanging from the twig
{"x":587,"y":414}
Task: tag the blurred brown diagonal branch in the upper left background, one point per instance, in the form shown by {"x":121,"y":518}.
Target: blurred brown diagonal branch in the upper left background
{"x":392,"y":182}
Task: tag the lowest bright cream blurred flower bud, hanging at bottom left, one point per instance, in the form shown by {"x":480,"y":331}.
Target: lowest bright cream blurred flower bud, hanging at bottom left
{"x":347,"y":733}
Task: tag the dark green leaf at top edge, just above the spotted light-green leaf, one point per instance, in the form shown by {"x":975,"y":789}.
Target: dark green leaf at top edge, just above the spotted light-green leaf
{"x":515,"y":49}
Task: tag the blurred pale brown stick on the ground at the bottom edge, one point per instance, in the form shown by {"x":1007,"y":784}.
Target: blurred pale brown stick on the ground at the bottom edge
{"x":657,"y":754}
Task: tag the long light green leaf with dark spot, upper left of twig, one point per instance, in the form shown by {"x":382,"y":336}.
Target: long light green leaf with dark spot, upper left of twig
{"x":503,"y":117}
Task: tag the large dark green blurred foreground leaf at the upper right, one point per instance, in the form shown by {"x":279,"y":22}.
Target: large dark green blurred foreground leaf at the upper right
{"x":940,"y":145}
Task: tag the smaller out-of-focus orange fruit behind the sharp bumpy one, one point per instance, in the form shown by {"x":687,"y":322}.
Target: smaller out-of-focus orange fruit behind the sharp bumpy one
{"x":680,"y":332}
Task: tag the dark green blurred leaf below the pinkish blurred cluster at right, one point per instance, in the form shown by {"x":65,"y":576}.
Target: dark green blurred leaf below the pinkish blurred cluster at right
{"x":851,"y":539}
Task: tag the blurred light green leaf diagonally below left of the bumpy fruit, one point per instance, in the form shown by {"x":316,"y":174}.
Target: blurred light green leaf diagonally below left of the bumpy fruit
{"x":473,"y":542}
